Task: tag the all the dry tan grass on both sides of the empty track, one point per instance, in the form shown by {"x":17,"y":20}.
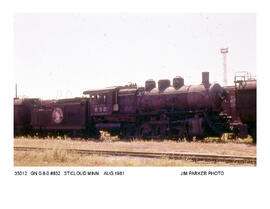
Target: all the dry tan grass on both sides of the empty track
{"x":60,"y":157}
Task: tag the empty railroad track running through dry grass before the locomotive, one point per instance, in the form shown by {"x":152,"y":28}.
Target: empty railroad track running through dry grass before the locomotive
{"x":176,"y":156}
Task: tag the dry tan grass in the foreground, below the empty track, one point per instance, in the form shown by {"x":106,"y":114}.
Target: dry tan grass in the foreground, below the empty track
{"x":63,"y":158}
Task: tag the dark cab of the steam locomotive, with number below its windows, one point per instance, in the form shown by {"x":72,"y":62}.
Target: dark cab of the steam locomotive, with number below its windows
{"x":112,"y":109}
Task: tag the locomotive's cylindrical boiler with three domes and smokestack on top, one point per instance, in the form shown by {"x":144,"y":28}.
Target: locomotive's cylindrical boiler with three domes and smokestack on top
{"x":180,"y":97}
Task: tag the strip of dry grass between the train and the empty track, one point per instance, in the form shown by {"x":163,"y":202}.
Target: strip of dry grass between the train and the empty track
{"x":229,"y":148}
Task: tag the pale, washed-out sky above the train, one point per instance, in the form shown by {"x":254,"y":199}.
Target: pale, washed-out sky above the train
{"x":60,"y":55}
